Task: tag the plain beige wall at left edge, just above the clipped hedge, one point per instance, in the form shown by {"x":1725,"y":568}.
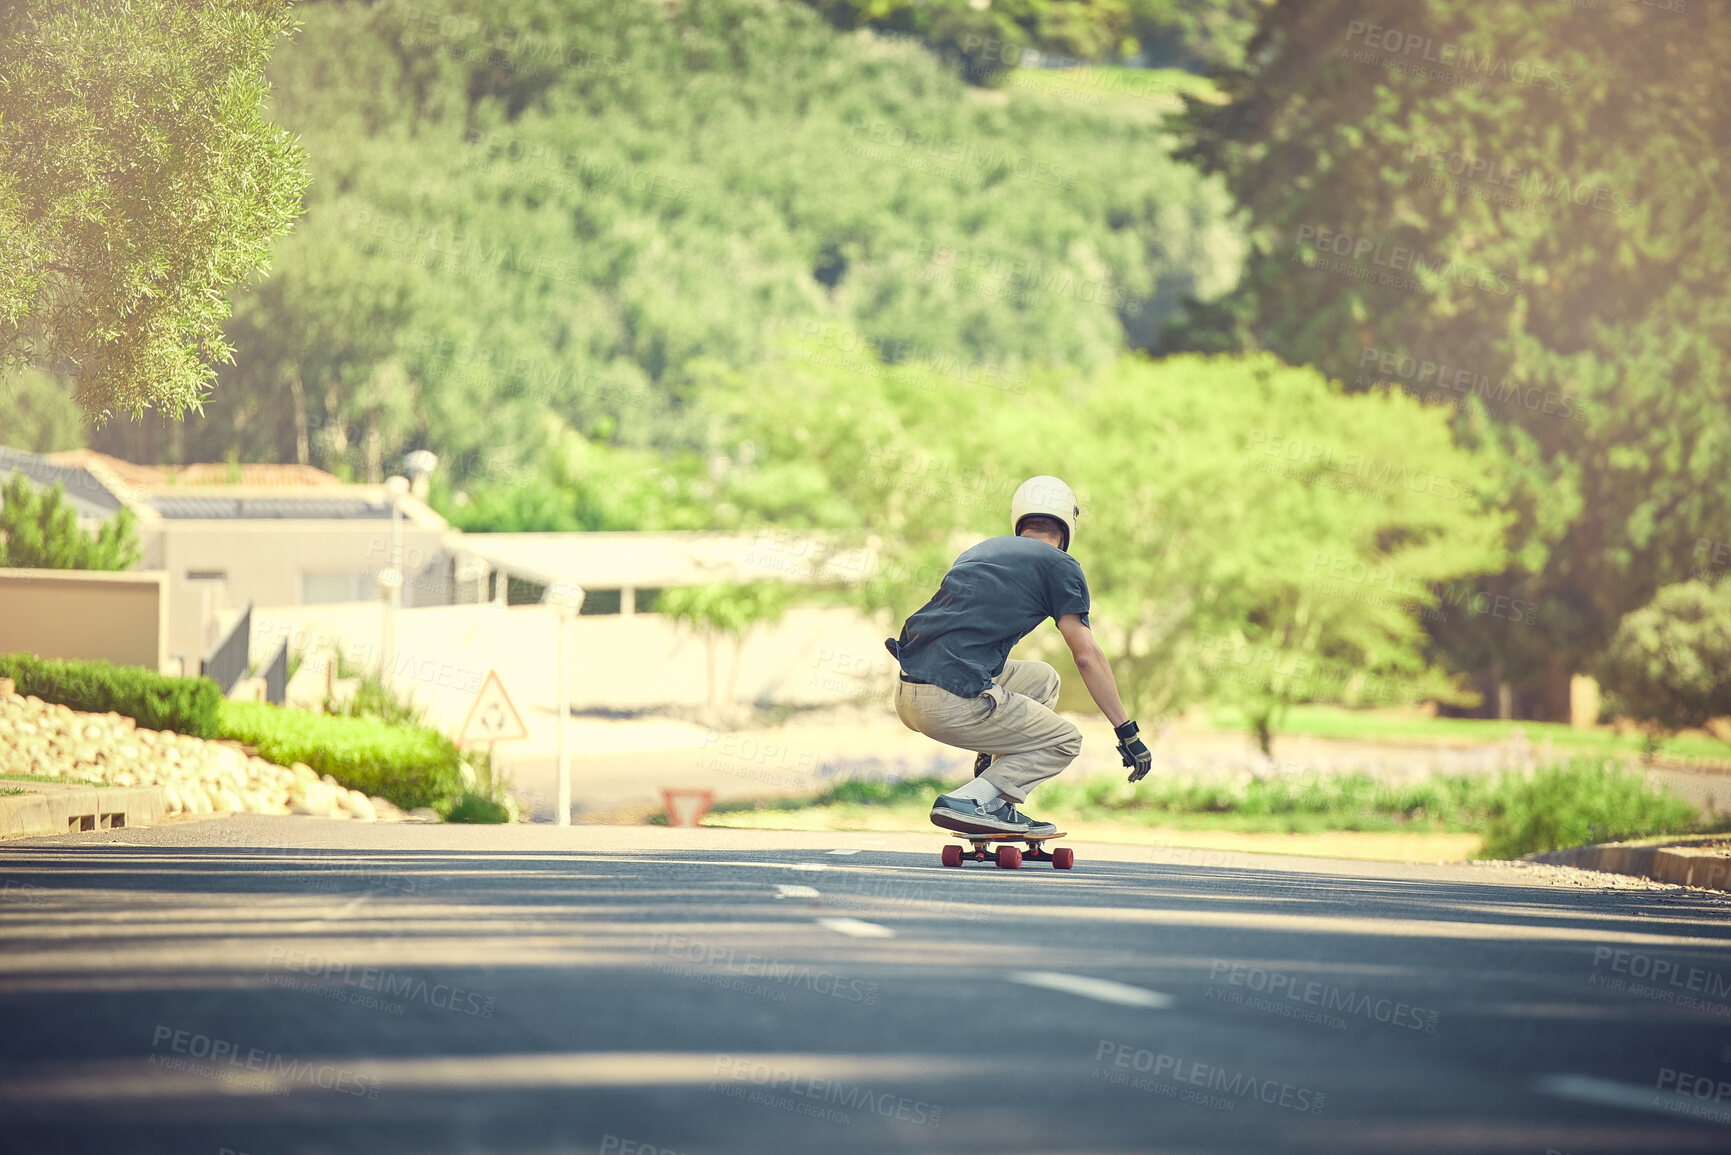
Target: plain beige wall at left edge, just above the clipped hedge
{"x":79,"y":614}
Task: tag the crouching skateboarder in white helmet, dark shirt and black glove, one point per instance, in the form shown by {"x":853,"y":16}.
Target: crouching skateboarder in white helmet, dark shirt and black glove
{"x":960,"y":687}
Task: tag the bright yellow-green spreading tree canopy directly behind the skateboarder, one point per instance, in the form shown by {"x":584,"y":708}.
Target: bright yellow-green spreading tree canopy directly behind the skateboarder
{"x":1251,"y":532}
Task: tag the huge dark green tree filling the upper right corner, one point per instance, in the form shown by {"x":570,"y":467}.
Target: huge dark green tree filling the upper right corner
{"x":1521,"y":203}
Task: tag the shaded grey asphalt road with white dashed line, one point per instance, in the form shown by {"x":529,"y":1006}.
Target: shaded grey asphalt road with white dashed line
{"x":269,"y":986}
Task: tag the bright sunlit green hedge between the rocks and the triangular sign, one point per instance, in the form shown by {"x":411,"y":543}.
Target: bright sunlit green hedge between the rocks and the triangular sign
{"x":409,"y":766}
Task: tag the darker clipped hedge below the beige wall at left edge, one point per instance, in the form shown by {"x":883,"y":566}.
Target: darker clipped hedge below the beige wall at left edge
{"x":186,"y":706}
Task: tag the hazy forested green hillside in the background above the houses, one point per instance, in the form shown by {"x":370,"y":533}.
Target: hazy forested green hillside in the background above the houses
{"x":560,"y":216}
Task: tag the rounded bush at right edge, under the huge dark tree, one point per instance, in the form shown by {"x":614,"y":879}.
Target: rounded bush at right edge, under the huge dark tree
{"x":1670,"y":664}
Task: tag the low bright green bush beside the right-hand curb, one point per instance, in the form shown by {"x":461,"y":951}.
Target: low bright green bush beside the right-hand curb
{"x":1578,"y":804}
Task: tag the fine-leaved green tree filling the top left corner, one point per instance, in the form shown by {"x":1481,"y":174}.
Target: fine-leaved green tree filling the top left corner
{"x":138,"y":183}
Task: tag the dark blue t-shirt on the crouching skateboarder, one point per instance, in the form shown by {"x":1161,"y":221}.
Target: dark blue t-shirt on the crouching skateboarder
{"x":991,"y":600}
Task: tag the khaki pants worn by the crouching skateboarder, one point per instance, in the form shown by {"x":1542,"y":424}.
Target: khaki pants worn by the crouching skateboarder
{"x":1012,"y":719}
